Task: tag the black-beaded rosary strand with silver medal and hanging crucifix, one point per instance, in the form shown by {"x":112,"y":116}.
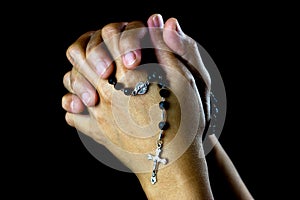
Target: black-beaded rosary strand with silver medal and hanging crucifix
{"x":142,"y":88}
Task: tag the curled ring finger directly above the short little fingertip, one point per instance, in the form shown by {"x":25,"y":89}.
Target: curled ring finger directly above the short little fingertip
{"x":77,"y":84}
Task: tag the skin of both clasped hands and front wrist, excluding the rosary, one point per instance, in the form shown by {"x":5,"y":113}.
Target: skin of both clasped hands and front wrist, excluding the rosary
{"x":186,"y":176}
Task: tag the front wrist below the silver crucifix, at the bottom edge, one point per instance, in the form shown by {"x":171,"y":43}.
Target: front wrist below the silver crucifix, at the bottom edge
{"x":185,"y":178}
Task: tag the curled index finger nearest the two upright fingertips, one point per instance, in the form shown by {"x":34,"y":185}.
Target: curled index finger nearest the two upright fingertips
{"x":130,"y":44}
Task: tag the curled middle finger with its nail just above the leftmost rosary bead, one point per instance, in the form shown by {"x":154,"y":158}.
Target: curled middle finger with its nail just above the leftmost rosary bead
{"x":98,"y":57}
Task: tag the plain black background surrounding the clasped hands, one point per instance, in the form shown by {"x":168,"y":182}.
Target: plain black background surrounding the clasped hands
{"x":46,"y":158}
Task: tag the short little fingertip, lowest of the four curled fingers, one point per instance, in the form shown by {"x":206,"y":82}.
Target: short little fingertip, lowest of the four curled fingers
{"x":72,"y":103}
